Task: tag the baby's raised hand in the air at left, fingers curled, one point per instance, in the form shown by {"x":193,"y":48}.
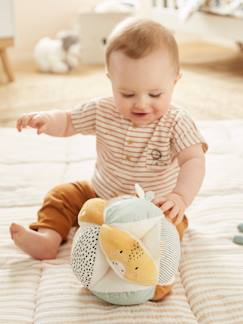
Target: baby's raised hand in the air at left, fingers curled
{"x":37,"y":120}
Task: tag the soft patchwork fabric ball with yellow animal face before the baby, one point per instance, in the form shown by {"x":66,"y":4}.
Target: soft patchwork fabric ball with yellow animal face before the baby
{"x":124,"y":248}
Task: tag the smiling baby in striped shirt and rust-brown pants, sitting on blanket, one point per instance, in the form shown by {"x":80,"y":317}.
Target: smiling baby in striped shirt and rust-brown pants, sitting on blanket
{"x":141,"y":138}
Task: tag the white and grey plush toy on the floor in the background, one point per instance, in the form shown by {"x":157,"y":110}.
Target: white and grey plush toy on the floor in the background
{"x":58,"y":55}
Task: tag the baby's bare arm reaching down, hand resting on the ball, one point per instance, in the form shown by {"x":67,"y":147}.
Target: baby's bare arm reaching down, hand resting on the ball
{"x":192,"y":170}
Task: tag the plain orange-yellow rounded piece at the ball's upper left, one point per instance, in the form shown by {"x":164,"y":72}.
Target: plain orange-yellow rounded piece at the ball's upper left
{"x":92,"y":211}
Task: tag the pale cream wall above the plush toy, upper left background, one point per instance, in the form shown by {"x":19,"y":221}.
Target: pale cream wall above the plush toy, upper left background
{"x":34,"y":19}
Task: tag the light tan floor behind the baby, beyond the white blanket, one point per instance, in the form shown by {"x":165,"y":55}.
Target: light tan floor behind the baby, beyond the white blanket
{"x":211,"y":86}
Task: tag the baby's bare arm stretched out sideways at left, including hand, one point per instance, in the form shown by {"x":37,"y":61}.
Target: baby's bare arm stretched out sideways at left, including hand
{"x":54,"y":123}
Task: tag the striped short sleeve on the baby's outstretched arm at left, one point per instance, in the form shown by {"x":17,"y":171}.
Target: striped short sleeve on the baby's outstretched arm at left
{"x":84,"y":117}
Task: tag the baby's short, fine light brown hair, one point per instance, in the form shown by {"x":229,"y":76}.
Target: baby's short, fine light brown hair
{"x":137,"y":38}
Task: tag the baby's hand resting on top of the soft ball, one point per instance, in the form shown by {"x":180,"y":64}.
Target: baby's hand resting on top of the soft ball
{"x":173,"y":206}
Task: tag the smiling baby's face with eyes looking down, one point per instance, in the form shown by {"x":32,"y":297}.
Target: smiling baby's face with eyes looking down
{"x":142,"y":88}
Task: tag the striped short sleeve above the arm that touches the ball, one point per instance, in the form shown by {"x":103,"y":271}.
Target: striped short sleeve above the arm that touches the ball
{"x":186,"y":133}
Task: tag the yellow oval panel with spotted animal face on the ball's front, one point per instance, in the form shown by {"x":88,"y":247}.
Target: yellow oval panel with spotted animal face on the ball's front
{"x":127,"y":256}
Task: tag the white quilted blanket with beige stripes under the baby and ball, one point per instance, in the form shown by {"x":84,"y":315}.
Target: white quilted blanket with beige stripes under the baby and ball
{"x":209,"y":285}
